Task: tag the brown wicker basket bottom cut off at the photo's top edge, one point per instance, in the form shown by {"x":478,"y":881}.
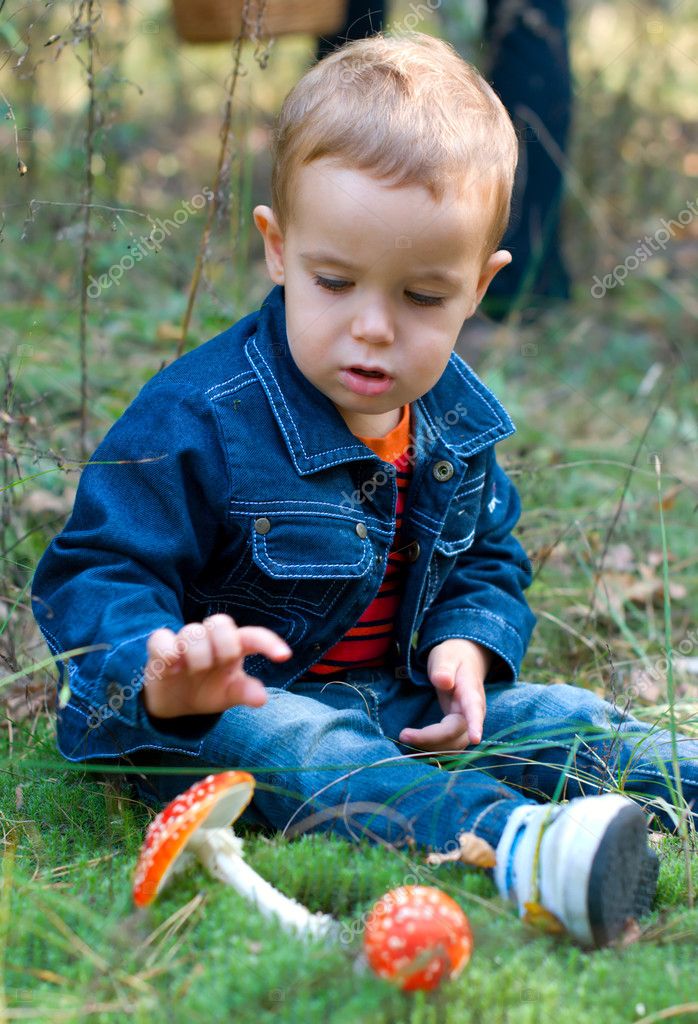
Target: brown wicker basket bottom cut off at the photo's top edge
{"x":216,"y":21}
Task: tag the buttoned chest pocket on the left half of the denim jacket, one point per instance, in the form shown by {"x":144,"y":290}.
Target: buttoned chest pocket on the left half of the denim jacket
{"x":300,"y":561}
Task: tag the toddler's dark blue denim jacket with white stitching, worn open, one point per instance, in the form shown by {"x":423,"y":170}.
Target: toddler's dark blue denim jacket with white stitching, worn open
{"x":233,"y":485}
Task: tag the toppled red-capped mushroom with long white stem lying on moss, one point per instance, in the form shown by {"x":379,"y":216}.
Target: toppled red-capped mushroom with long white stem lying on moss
{"x":199,"y":820}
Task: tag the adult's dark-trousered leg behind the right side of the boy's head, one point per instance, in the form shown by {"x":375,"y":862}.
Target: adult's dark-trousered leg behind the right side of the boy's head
{"x":530,"y":70}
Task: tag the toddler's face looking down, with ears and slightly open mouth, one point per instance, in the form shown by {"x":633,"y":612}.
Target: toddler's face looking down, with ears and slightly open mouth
{"x":378,"y":278}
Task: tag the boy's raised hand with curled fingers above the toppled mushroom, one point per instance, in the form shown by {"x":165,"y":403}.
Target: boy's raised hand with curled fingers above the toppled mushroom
{"x":199,"y":671}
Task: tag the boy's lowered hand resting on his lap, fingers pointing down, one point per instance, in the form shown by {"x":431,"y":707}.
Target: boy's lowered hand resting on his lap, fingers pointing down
{"x":457,"y":669}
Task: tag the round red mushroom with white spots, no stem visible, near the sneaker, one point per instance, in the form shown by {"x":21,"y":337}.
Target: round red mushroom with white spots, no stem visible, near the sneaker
{"x":415,"y":935}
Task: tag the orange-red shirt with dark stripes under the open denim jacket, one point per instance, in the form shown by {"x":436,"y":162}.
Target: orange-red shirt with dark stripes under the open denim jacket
{"x":368,"y":644}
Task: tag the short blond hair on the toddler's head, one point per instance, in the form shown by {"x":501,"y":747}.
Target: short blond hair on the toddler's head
{"x":407,"y":109}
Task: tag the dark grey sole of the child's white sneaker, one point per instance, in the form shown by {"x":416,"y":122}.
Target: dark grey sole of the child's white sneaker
{"x":624,"y":876}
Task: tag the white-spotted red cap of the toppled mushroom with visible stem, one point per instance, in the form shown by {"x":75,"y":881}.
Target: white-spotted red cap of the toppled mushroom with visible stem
{"x":214,"y":802}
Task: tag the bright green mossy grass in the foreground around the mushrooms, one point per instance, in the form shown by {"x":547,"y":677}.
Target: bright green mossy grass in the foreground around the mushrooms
{"x":75,"y":944}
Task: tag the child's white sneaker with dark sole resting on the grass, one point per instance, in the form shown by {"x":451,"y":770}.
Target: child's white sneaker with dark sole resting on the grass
{"x":587,"y":863}
